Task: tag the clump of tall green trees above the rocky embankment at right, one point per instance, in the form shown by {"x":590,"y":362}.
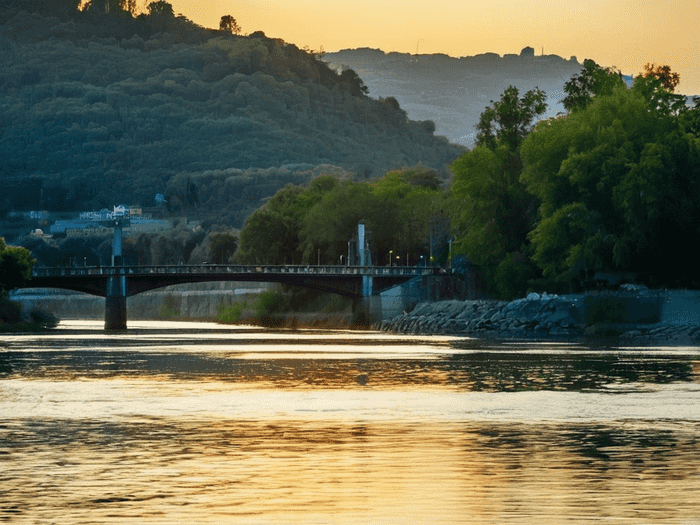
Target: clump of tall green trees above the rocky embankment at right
{"x":615,"y":184}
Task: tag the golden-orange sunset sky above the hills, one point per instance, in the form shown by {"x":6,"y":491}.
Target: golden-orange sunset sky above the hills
{"x":626,"y":34}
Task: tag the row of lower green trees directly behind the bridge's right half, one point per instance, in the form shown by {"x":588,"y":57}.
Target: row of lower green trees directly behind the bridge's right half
{"x":404,"y":211}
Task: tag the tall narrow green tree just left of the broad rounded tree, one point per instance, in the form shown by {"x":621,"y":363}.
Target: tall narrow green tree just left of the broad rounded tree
{"x":494,"y":213}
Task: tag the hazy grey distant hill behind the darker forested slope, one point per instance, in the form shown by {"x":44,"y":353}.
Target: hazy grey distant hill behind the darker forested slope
{"x":451,"y":91}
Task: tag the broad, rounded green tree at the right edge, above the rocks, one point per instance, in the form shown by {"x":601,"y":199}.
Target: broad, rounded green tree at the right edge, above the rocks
{"x":618,"y":181}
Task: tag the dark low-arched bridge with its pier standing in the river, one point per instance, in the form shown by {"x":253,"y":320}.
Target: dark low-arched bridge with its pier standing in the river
{"x":116,"y":283}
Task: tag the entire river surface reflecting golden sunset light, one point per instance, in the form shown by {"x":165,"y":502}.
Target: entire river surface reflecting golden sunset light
{"x":197,"y":423}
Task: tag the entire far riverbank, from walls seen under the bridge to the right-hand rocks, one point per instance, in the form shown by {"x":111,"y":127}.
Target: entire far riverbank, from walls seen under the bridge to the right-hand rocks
{"x":634,"y":318}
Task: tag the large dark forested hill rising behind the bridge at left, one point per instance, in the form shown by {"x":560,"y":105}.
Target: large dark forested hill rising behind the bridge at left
{"x":98,"y":109}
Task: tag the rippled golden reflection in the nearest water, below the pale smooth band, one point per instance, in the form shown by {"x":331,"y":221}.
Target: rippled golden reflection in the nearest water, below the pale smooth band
{"x":282,"y":471}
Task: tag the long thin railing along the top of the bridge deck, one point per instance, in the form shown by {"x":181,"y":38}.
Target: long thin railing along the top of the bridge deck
{"x":373,"y":271}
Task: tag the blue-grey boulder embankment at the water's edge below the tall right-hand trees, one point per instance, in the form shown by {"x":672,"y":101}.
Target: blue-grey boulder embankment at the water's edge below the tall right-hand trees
{"x":626,"y":318}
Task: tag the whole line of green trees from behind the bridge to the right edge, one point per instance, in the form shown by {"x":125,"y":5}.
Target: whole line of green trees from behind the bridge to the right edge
{"x":608,"y":190}
